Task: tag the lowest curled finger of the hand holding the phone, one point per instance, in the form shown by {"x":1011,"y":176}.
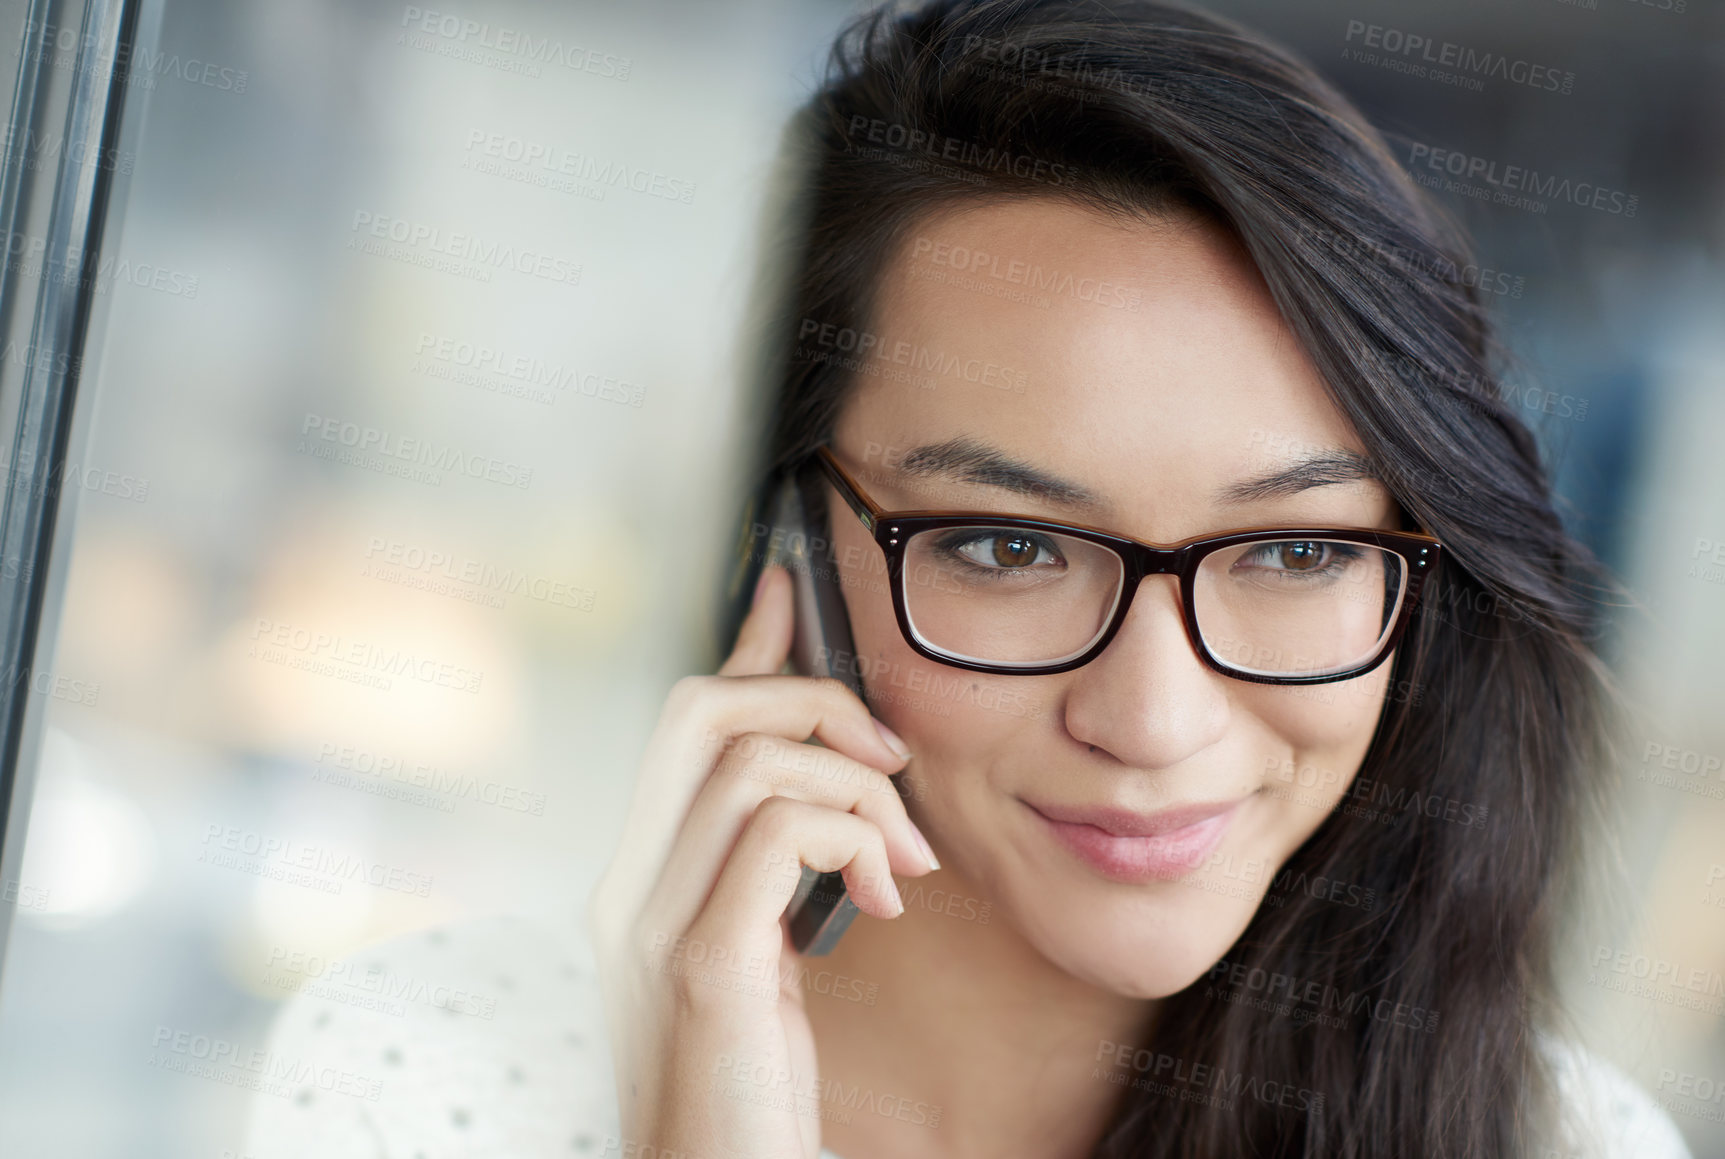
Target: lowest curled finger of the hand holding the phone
{"x":746,"y":905}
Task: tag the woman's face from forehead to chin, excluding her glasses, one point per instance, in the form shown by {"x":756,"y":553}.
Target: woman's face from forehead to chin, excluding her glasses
{"x":1157,"y":379}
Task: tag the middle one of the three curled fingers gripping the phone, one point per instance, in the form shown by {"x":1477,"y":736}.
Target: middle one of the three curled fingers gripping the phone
{"x":760,"y":767}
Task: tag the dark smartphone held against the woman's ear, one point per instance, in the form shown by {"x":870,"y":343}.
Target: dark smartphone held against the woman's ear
{"x":820,"y":910}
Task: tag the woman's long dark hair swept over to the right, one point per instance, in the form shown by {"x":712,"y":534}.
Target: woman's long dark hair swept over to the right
{"x":1479,"y":787}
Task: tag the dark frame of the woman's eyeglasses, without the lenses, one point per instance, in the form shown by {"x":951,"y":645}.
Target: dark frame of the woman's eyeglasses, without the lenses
{"x":893,"y":532}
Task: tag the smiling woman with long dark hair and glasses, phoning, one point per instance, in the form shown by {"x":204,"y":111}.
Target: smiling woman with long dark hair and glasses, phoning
{"x":1246,"y":849}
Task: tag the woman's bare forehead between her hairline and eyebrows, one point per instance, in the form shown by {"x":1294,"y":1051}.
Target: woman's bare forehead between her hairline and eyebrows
{"x":1145,"y":360}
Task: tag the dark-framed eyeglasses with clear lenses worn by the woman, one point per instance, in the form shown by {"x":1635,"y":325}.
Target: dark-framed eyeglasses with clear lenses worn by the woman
{"x":1031,"y":598}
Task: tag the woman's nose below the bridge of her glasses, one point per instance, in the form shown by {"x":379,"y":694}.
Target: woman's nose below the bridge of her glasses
{"x":1150,"y":699}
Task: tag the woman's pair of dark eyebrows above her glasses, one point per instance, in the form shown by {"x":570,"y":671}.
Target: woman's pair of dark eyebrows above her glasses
{"x":970,"y":461}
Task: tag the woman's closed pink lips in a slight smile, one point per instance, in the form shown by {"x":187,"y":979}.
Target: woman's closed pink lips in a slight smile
{"x":1136,"y":848}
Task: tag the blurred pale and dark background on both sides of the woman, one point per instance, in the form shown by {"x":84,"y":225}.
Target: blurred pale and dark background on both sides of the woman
{"x":408,"y":442}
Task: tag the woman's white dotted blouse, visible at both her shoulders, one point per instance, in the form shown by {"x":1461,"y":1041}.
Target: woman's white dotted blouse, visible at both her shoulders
{"x":487,"y":1041}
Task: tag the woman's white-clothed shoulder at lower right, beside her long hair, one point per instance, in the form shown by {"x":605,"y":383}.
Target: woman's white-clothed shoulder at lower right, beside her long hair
{"x":1605,"y":1112}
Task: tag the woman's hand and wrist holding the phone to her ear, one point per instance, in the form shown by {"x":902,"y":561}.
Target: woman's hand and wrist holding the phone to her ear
{"x":713,"y":1049}
